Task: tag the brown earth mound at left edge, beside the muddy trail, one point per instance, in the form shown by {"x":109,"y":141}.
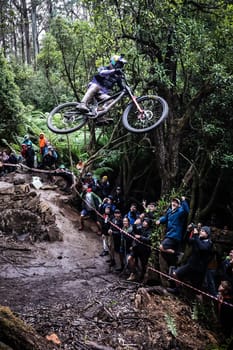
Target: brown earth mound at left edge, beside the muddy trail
{"x":24,"y":212}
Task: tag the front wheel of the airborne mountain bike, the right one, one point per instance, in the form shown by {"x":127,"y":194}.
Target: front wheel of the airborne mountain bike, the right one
{"x":153,"y":111}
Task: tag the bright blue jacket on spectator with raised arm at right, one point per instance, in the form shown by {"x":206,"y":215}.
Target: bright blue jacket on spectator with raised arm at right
{"x":175,"y":221}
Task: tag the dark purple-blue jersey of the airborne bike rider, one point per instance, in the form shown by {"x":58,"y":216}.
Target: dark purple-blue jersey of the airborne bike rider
{"x":106,"y":78}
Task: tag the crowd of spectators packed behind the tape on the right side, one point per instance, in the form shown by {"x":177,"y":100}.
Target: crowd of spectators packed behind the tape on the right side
{"x":126,"y":234}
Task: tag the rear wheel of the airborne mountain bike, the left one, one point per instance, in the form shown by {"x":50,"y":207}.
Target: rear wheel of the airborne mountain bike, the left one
{"x":65,"y":118}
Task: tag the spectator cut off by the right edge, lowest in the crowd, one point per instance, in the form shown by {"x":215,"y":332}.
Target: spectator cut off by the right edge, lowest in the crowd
{"x":225,"y":311}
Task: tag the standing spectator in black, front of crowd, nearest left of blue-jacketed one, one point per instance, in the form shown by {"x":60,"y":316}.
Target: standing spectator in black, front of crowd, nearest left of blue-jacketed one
{"x":140,"y":250}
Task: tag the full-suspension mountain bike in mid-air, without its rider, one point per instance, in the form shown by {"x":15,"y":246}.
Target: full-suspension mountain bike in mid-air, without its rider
{"x":142,"y":114}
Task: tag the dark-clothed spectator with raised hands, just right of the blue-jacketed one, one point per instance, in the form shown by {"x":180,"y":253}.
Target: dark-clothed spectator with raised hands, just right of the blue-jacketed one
{"x":195,"y":269}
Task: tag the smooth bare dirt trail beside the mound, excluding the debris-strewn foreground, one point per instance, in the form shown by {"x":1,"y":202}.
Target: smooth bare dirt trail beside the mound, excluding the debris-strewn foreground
{"x":60,"y":269}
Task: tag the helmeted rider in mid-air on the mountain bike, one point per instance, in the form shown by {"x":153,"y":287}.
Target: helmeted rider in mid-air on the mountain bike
{"x":103,"y":81}
